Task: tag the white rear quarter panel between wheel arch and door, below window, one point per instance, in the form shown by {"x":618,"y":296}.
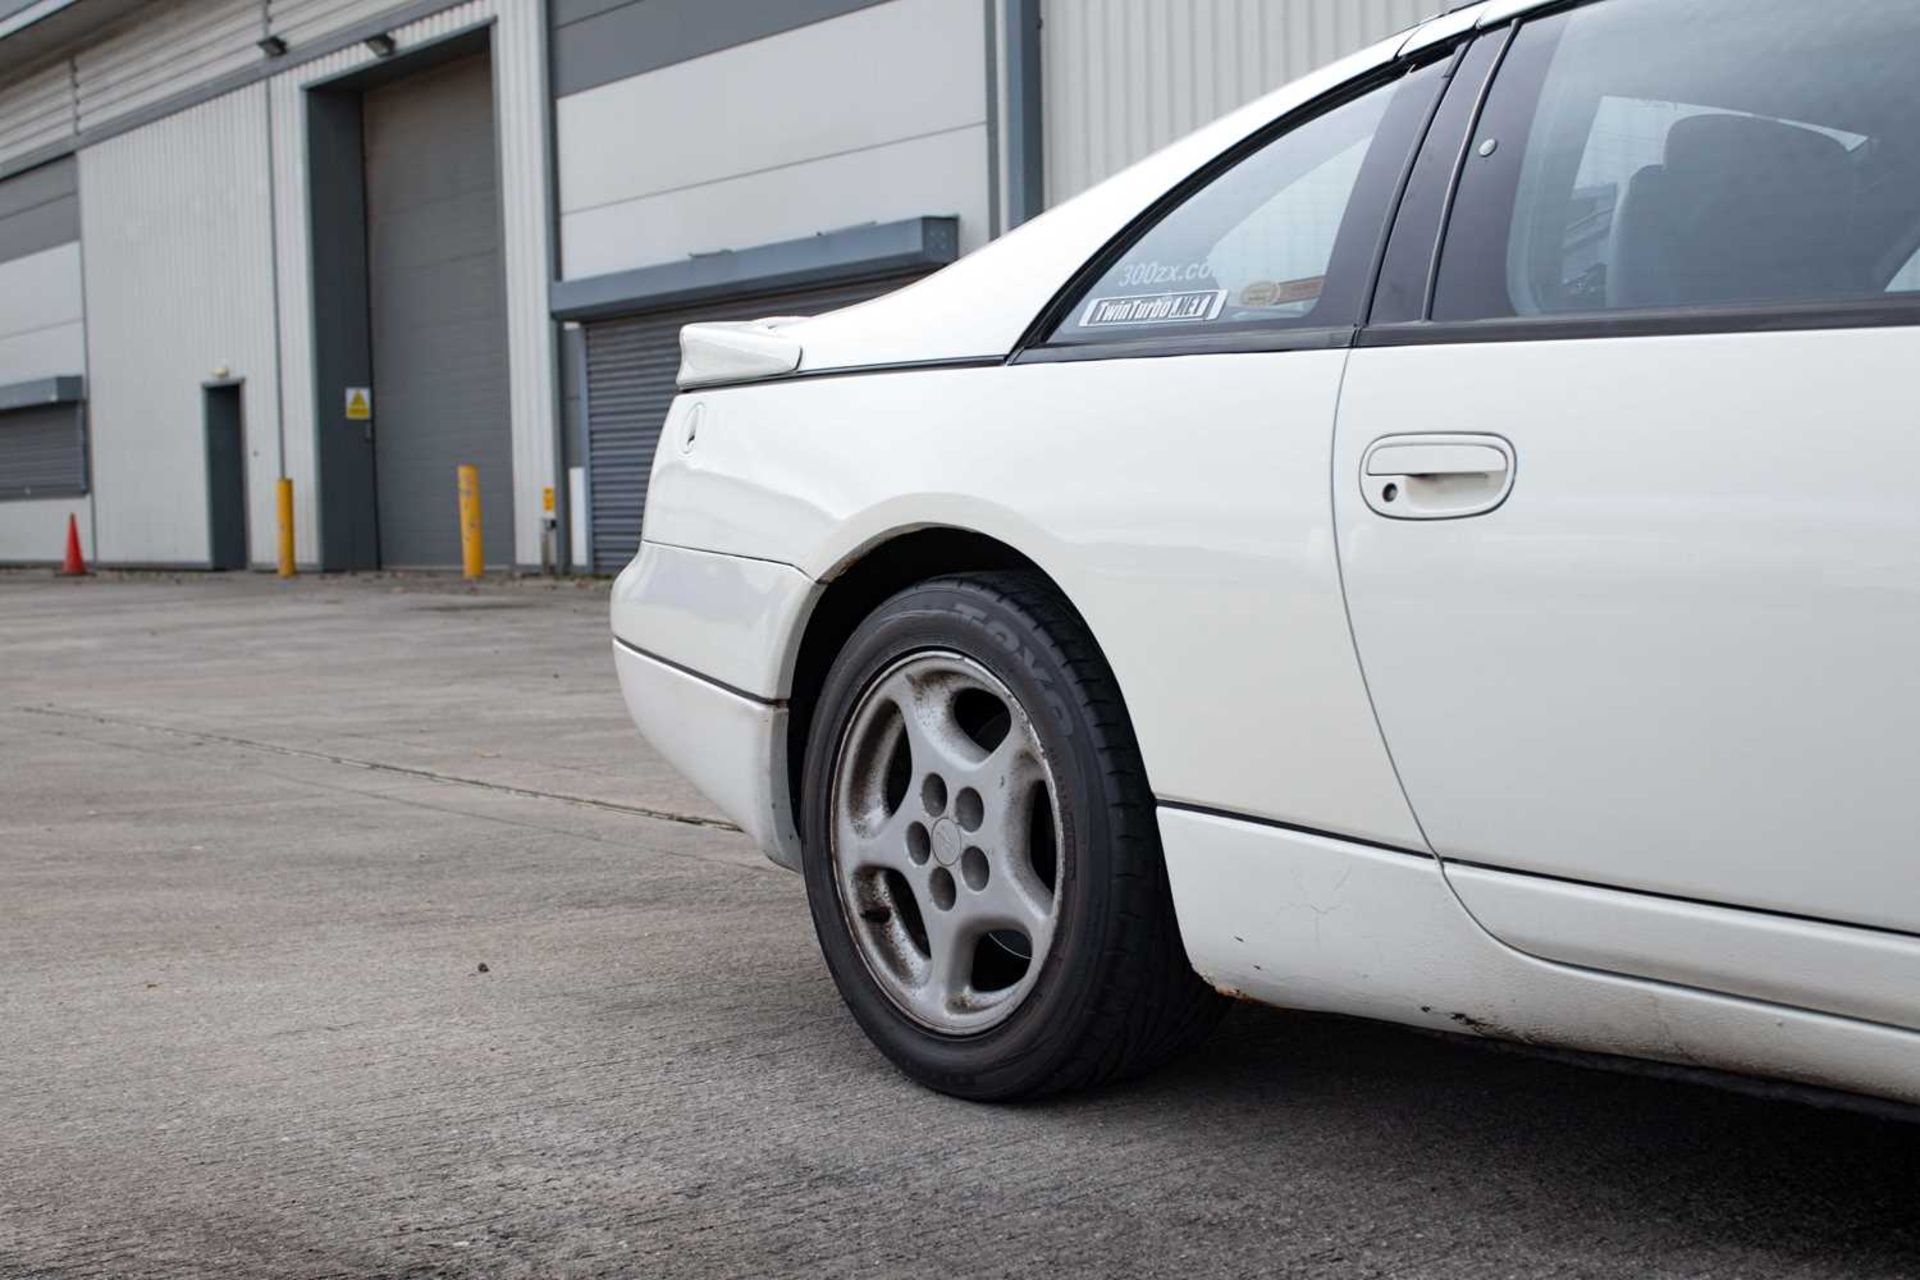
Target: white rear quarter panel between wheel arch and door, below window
{"x":1182,"y":504}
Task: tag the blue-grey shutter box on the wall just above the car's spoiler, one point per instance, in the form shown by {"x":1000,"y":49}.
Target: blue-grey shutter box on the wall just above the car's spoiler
{"x":848,"y":254}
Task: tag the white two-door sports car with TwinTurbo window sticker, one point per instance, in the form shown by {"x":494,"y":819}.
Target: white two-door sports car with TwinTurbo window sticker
{"x":1437,"y":546}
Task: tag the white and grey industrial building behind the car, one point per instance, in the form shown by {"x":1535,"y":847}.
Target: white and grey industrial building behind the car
{"x":362,"y":243}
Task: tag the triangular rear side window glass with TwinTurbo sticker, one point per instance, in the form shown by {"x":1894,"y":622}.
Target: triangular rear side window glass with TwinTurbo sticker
{"x":1268,"y":243}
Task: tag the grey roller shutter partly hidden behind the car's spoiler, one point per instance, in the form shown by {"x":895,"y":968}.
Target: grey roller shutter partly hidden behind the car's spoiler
{"x":631,"y":383}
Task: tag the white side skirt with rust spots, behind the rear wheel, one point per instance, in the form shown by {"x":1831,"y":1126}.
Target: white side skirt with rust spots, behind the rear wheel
{"x":1310,"y":922}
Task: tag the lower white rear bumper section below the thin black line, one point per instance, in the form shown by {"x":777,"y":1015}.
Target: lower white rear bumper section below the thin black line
{"x":729,"y":746}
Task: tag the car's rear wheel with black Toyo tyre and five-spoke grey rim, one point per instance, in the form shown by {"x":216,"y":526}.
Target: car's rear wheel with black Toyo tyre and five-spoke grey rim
{"x":982,"y":855}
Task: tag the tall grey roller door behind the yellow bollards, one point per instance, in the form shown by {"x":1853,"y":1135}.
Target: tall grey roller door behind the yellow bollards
{"x":439,"y":318}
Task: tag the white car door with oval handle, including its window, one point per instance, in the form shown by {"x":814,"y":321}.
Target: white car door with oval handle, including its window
{"x":1625,"y":498}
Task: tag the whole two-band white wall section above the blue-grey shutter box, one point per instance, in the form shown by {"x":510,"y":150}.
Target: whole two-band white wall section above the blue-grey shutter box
{"x":736,"y":149}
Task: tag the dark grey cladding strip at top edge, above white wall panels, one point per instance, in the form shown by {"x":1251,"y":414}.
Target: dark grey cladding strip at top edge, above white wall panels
{"x":604,"y":41}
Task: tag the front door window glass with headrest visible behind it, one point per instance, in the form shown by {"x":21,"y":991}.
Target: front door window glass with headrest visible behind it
{"x":1656,"y":154}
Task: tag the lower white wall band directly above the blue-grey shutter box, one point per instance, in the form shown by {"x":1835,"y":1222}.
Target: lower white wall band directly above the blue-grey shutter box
{"x":940,"y":176}
